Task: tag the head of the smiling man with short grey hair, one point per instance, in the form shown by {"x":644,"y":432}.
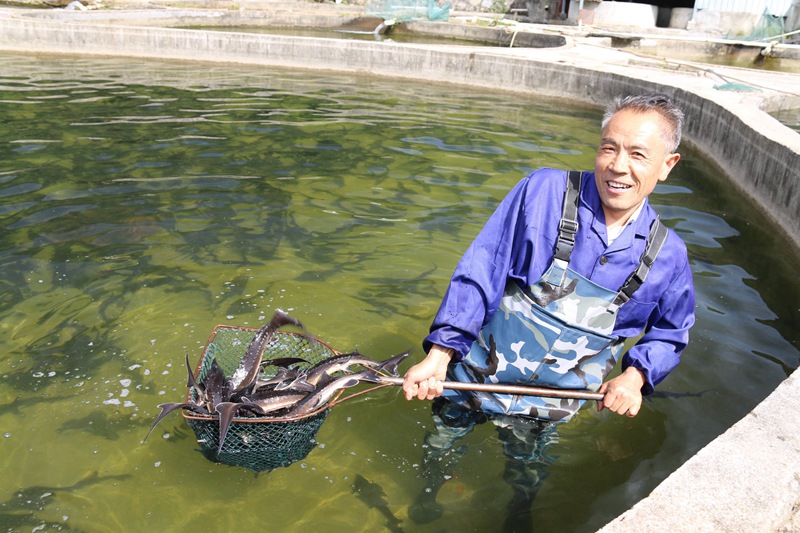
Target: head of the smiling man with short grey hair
{"x":637,"y":150}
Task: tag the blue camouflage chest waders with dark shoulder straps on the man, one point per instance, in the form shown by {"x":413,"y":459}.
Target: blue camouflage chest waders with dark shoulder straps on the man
{"x":558,"y":333}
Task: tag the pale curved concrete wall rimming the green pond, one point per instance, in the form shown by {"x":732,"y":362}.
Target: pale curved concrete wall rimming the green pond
{"x":724,"y":487}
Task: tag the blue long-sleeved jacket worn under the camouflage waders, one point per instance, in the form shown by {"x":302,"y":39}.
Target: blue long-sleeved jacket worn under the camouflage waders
{"x":518,"y":242}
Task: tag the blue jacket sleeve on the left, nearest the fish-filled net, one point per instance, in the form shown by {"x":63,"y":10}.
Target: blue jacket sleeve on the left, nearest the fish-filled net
{"x":477,"y":285}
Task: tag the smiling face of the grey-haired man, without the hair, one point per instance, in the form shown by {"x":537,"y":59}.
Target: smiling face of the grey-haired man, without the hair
{"x":631,"y":160}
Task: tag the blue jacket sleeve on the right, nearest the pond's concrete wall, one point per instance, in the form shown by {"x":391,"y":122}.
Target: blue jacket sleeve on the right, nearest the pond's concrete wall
{"x":658,"y":351}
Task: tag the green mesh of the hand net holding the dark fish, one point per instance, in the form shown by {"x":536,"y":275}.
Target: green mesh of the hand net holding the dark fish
{"x":258,"y":443}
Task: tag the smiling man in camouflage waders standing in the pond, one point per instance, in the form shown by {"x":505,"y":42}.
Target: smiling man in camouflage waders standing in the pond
{"x":566,"y":269}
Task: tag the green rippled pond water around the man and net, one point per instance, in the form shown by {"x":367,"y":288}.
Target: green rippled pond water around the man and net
{"x":143,"y":203}
